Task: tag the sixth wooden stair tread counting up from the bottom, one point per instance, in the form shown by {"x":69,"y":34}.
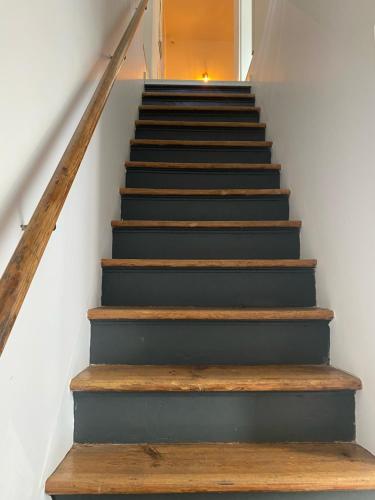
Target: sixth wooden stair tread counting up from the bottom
{"x":204,"y":192}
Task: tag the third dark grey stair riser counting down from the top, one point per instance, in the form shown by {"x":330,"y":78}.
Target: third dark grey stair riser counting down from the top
{"x":200,"y":115}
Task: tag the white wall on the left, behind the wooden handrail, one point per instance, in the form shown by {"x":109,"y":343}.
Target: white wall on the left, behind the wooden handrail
{"x":51,"y":53}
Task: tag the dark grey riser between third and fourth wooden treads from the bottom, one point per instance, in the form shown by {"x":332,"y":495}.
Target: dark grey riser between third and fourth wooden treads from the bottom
{"x":209,"y":287}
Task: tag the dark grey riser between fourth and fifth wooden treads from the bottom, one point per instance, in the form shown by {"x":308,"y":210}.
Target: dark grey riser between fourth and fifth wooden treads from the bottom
{"x":192,"y":243}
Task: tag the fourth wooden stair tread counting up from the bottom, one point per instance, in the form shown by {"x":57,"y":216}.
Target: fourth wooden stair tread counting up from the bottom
{"x":211,"y":263}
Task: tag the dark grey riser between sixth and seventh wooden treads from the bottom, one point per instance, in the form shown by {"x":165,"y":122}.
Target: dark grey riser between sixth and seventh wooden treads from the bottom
{"x":200,"y":179}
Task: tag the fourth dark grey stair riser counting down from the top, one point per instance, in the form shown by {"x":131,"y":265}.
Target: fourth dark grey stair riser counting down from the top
{"x":200,"y":133}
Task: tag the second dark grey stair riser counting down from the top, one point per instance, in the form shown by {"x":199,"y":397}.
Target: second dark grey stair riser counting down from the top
{"x":198,"y":101}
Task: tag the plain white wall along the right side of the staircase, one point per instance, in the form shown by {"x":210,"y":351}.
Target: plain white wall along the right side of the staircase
{"x":314,"y":76}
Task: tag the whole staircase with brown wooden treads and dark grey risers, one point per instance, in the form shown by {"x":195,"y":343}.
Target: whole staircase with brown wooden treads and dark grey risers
{"x":209,"y":360}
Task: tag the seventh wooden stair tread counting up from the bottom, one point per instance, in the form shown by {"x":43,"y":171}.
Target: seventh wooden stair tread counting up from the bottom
{"x":203,"y":166}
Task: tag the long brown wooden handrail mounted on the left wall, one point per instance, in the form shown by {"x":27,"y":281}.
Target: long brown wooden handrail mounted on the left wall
{"x":24,"y":262}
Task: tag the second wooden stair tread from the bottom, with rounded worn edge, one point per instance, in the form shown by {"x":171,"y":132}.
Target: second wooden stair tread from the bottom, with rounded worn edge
{"x":209,"y":378}
